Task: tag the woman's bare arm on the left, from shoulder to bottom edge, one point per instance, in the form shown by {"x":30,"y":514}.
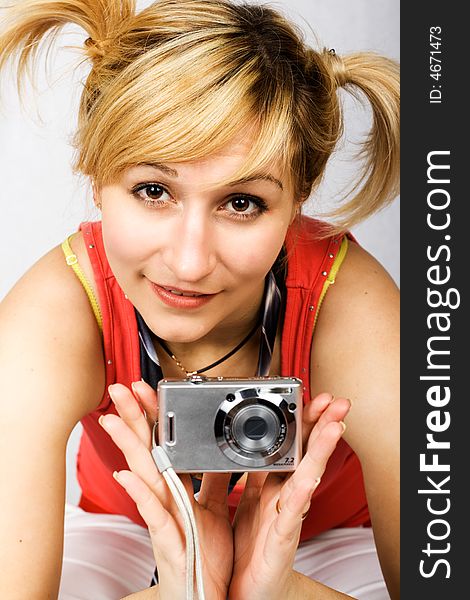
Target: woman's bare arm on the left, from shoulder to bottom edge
{"x":51,"y":374}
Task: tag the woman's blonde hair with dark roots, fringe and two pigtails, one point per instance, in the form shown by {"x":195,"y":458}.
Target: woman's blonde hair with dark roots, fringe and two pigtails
{"x":180,"y":79}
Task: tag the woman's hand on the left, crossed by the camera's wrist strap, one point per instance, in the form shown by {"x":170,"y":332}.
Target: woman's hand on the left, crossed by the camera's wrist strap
{"x":147,"y":487}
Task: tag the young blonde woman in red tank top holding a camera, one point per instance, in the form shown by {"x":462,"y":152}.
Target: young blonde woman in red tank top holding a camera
{"x":203,"y":127}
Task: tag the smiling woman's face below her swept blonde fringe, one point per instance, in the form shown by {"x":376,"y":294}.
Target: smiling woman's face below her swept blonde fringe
{"x":166,"y":235}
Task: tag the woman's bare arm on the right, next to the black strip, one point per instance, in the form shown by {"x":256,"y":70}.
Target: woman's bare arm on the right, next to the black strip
{"x":355,"y":354}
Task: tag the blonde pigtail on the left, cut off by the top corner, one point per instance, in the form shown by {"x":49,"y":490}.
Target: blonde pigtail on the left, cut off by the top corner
{"x":27,"y":26}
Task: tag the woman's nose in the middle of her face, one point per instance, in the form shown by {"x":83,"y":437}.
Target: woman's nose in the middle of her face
{"x":191,"y":254}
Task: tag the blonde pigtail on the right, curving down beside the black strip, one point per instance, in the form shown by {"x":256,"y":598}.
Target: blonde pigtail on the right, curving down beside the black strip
{"x":377,"y":77}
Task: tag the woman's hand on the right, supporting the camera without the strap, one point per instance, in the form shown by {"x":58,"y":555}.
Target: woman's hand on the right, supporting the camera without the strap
{"x":265,"y":540}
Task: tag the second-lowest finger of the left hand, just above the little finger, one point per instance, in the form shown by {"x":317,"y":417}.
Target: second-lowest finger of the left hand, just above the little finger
{"x":138,"y":457}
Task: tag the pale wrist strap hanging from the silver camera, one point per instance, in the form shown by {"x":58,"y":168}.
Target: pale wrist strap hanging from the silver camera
{"x":193,"y":554}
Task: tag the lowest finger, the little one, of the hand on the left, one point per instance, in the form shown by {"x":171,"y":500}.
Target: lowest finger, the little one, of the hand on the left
{"x":166,"y":536}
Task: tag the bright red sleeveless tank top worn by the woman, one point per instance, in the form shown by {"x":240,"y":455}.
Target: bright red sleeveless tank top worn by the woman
{"x":339,"y":501}
